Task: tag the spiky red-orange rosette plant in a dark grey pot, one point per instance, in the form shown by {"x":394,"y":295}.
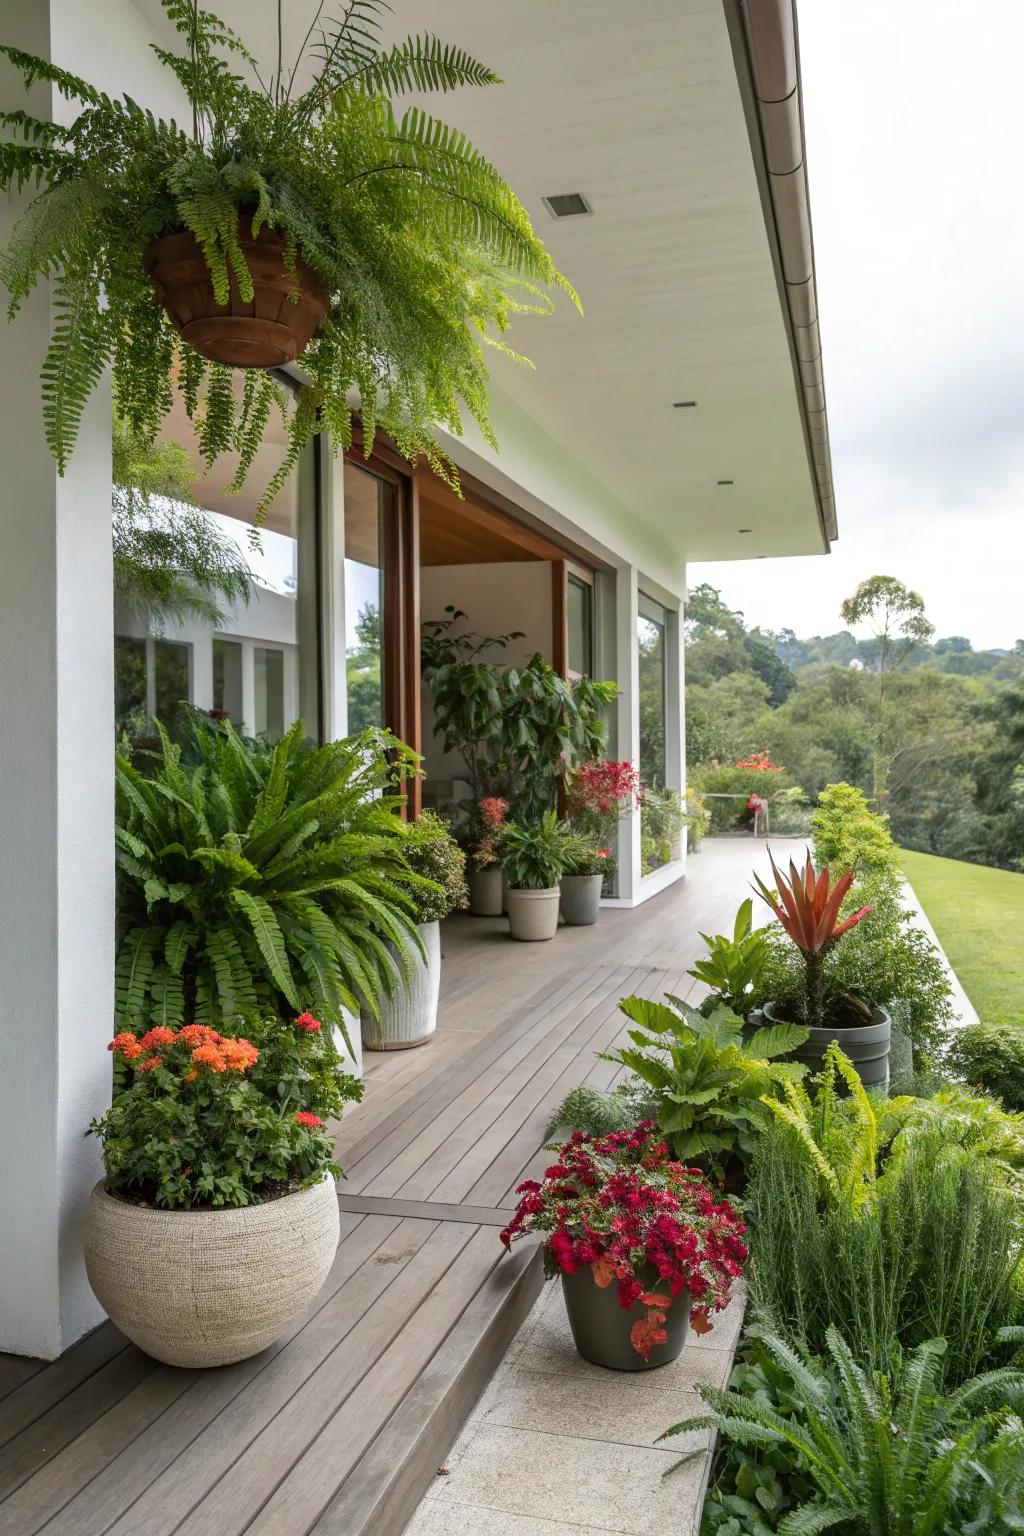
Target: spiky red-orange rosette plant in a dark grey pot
{"x":808,"y":910}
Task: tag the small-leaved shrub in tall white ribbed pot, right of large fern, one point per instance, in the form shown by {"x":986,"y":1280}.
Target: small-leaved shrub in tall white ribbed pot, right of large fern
{"x":409,"y":1016}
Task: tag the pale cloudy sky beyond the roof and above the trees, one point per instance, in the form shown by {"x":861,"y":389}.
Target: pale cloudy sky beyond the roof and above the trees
{"x":916,"y":151}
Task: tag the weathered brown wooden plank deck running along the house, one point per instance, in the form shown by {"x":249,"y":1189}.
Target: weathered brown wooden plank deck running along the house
{"x":339,"y":1428}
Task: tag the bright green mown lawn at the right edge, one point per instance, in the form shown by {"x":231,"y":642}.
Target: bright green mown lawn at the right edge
{"x":979,"y":916}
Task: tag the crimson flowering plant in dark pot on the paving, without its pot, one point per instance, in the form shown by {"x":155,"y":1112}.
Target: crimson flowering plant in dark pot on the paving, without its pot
{"x":642,"y":1222}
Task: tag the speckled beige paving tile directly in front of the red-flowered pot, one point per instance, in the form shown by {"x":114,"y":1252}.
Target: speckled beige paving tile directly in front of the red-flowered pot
{"x":616,"y":1409}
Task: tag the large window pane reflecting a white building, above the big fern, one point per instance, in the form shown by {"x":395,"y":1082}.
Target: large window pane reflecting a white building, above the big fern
{"x":268,"y":601}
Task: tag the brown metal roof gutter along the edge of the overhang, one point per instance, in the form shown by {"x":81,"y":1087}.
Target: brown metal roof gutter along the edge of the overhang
{"x":767,"y":51}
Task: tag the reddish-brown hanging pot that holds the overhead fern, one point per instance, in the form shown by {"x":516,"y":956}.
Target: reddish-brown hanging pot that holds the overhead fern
{"x":273,"y":328}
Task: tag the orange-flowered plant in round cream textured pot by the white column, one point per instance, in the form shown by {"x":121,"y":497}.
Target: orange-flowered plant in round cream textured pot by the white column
{"x":217,"y":1222}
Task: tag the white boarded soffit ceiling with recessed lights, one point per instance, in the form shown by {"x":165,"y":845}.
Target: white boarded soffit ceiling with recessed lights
{"x":636,"y":105}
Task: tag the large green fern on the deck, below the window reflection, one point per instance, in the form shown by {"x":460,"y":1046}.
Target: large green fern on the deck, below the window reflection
{"x":260,"y":881}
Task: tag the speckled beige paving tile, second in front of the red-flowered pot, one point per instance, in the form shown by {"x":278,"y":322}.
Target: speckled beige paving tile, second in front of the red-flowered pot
{"x":623,"y":1489}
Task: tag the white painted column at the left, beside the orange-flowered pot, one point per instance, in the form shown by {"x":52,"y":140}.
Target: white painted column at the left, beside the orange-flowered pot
{"x":56,"y":815}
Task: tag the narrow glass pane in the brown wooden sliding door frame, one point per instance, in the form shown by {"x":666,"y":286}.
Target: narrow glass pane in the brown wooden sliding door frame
{"x":369,"y":503}
